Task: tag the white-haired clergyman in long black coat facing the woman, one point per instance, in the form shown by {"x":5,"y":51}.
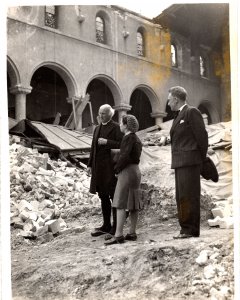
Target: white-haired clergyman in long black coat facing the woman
{"x":106,"y":136}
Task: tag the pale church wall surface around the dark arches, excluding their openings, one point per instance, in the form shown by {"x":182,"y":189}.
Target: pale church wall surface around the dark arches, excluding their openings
{"x":72,"y":52}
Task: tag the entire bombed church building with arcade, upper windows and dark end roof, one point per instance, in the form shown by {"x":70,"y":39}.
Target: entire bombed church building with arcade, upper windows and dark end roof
{"x":56,"y":55}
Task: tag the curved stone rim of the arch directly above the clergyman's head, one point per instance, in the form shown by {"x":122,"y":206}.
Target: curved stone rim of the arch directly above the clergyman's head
{"x":113,"y":86}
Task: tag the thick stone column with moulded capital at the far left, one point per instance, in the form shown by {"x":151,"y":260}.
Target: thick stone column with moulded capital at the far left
{"x":20,"y":100}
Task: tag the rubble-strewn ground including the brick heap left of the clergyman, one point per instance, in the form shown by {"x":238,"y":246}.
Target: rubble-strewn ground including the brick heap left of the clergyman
{"x":55,"y":257}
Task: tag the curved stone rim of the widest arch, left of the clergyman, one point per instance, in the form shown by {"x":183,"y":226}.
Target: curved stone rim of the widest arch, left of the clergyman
{"x":63,"y":73}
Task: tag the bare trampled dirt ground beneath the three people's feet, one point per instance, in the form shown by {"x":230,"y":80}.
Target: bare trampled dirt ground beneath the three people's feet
{"x":74,"y":265}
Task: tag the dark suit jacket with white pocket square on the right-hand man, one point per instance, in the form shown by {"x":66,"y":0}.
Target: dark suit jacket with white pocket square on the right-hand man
{"x":189,"y":138}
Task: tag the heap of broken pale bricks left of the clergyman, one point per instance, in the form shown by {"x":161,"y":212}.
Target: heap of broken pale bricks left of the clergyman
{"x":41,"y":191}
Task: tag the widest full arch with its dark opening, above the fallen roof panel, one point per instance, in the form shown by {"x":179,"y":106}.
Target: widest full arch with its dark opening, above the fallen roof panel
{"x":53,"y":88}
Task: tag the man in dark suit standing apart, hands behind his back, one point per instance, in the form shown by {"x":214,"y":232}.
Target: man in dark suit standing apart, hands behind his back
{"x":189,"y":143}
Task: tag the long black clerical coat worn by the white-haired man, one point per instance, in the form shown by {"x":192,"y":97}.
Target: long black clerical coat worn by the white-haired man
{"x":103,"y":178}
